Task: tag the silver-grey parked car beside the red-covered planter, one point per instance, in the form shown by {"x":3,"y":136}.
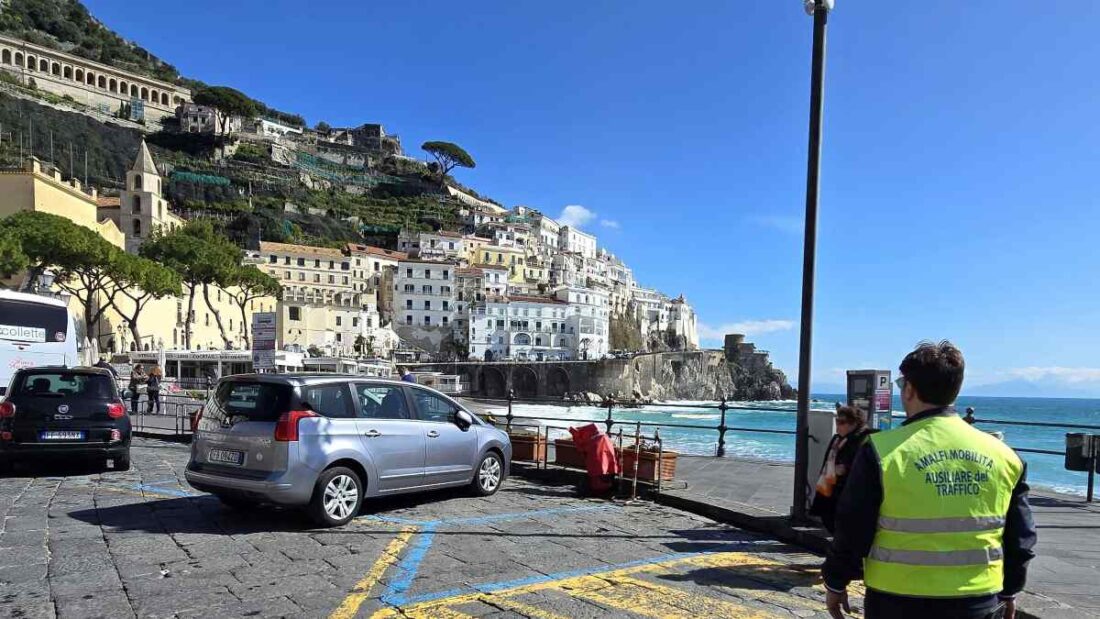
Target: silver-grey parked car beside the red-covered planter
{"x":324,"y":443}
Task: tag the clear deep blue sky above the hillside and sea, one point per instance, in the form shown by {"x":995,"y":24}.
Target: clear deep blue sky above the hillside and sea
{"x":960,"y":194}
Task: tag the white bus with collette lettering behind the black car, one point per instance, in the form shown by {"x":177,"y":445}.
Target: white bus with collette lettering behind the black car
{"x":35,"y":331}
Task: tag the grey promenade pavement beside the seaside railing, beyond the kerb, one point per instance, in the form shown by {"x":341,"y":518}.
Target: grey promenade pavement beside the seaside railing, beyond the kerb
{"x":1064,"y":580}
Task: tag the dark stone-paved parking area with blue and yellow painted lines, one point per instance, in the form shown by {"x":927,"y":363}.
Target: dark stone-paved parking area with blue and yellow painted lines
{"x":79,"y":543}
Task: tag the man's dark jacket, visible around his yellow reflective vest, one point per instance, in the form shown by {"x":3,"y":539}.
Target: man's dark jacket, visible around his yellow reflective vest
{"x":857,"y":518}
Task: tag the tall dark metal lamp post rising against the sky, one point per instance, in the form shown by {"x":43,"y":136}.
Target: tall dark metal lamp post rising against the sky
{"x":820,"y":10}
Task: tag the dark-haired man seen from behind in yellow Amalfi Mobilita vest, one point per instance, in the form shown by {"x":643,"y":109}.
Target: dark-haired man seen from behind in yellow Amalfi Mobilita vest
{"x":934,"y":516}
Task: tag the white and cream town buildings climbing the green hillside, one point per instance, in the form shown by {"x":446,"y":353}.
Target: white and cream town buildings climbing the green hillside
{"x":502,"y":285}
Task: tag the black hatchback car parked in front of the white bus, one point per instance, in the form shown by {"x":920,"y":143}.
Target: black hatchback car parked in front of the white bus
{"x":64,"y":413}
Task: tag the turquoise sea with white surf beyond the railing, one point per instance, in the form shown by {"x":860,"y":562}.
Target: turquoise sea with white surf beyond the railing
{"x":1043,"y":471}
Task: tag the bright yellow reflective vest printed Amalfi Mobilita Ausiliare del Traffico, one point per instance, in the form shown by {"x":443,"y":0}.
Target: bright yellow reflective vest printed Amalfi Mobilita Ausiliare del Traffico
{"x":947,"y":490}
